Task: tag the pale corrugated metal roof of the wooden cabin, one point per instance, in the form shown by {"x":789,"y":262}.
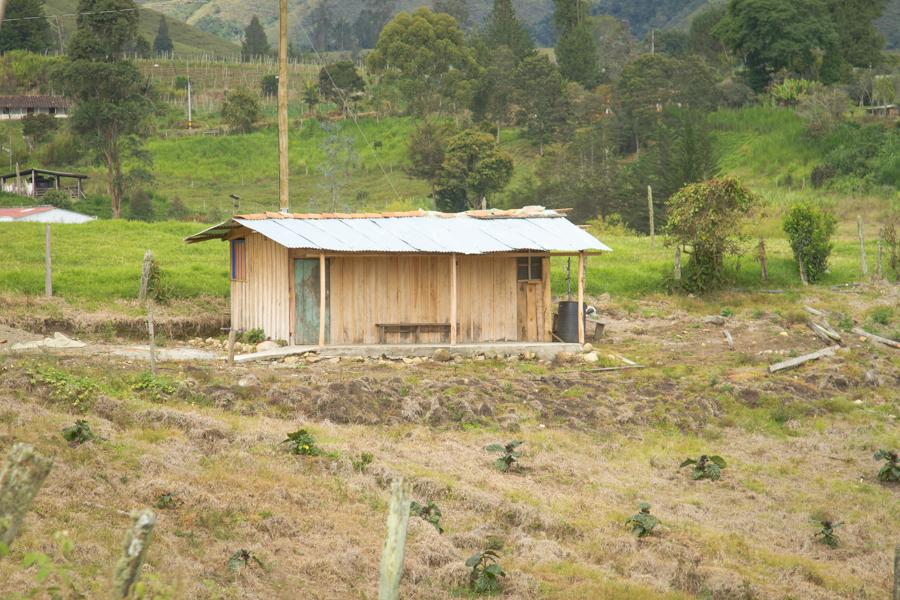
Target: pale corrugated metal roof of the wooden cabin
{"x":463,"y":233}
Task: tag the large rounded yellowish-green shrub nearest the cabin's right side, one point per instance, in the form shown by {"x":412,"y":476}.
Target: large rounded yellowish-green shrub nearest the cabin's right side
{"x":706,"y":219}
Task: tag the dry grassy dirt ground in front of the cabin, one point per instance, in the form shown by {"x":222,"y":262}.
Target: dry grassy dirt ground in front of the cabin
{"x":799,"y":447}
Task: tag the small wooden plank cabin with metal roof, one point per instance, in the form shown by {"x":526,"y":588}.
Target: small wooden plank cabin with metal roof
{"x":415,"y":277}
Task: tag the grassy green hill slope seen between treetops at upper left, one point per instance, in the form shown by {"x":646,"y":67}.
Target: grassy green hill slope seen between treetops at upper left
{"x":187,"y":39}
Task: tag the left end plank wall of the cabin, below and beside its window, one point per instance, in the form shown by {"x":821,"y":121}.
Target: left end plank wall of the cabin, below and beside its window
{"x":263,"y":300}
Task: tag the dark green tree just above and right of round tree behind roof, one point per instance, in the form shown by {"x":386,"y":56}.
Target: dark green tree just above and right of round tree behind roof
{"x":542,"y":100}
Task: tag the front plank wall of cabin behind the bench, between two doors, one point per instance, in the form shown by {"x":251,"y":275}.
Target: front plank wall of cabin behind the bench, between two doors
{"x":395,"y":289}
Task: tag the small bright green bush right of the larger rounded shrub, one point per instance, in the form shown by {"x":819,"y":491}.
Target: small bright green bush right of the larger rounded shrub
{"x":809,"y":230}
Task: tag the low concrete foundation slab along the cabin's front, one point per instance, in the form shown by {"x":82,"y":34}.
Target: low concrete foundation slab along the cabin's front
{"x":543,"y":351}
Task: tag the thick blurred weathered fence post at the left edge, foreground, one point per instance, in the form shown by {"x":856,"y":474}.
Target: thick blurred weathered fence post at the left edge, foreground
{"x":23,"y":474}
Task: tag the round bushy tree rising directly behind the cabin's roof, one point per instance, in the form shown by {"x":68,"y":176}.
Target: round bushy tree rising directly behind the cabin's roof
{"x":474,"y":167}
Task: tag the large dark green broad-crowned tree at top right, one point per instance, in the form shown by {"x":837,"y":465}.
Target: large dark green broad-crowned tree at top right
{"x":772,"y":36}
